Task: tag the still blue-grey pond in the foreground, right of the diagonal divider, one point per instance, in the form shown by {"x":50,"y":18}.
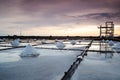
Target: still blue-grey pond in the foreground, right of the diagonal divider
{"x":98,"y":67}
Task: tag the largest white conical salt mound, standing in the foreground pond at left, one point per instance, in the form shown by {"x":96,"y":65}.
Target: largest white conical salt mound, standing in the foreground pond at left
{"x":29,"y":51}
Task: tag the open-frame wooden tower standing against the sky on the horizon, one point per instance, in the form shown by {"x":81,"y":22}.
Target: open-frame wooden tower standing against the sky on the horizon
{"x":107,"y":31}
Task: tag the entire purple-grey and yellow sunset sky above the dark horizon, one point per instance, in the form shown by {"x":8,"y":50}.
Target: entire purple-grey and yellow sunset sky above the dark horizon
{"x":57,"y":17}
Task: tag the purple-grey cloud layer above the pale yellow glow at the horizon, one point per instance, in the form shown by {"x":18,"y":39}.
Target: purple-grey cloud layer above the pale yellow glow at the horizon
{"x":48,"y":13}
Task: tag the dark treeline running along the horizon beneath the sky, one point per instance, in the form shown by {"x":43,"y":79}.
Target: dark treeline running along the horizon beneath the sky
{"x":58,"y":37}
